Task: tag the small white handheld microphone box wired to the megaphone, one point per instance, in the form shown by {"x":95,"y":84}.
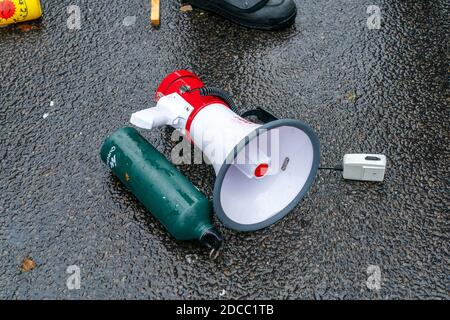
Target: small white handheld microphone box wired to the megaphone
{"x":365,"y":167}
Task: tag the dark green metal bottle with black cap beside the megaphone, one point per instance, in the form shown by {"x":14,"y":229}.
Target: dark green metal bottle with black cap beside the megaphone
{"x":166,"y":193}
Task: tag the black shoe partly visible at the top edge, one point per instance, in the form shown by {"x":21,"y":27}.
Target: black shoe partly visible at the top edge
{"x":256,"y":14}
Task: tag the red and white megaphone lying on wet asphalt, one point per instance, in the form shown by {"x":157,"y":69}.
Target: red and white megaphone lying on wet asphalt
{"x":263,"y":170}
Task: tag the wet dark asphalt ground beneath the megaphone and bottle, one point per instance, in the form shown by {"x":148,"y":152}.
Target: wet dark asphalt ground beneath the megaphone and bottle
{"x":61,"y":206}
